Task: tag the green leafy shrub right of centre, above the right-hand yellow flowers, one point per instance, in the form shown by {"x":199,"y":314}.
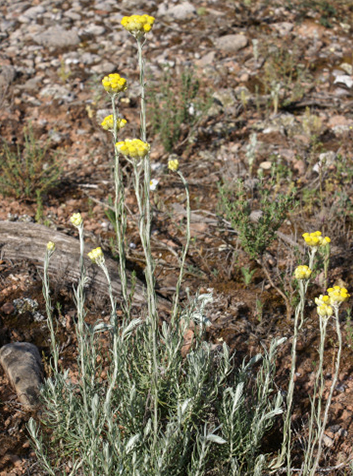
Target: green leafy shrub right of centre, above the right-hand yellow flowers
{"x":258,"y":230}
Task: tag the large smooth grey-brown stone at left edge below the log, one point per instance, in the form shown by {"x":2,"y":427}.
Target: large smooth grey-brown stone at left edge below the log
{"x":23,"y":366}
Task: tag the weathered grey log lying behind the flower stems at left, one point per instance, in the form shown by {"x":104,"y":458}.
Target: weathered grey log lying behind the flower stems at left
{"x":28,"y":241}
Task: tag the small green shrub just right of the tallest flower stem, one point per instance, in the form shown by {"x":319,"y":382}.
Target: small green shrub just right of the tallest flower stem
{"x":175,"y":108}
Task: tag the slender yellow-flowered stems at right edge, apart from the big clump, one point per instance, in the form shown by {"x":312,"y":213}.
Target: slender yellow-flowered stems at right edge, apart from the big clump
{"x":327,"y":308}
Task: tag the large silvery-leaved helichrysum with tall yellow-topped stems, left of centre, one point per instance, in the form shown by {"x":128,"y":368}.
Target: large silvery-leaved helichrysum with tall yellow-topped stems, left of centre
{"x":157,"y":412}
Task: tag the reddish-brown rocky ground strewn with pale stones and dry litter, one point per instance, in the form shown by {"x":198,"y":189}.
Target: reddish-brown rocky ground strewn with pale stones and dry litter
{"x":280,"y":70}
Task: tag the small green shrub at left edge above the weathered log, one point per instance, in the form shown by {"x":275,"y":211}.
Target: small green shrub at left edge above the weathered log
{"x":29,"y":171}
